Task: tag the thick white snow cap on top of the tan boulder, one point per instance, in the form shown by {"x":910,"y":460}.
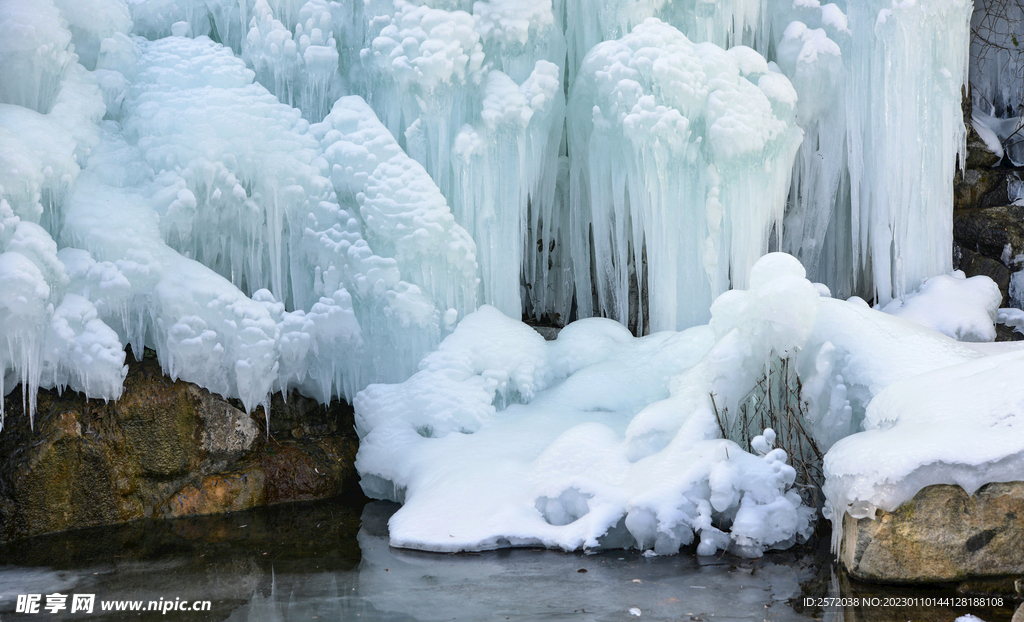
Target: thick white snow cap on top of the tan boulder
{"x":957,"y":425}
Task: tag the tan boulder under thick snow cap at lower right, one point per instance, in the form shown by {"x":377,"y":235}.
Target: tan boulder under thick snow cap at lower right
{"x":943,"y":535}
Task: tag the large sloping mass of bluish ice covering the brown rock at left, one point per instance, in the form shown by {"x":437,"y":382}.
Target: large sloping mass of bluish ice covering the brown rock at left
{"x":198,"y":171}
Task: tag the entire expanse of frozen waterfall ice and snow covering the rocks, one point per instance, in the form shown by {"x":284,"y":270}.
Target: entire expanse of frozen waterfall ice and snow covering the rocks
{"x":315,"y":194}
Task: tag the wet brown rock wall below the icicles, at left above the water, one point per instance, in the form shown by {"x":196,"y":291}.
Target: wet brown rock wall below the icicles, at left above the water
{"x":165,"y":449}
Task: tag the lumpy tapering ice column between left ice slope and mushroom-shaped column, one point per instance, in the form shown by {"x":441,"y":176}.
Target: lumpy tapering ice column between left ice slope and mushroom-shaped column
{"x":490,"y":139}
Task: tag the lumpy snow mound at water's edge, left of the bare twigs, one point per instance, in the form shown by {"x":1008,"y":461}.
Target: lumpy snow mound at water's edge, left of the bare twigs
{"x":595,"y":440}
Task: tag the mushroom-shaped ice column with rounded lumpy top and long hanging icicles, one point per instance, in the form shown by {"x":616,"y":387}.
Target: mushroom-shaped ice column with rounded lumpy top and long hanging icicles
{"x":686,"y":158}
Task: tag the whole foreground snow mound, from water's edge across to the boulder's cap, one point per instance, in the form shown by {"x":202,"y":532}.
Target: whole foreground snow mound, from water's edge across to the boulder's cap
{"x":602,"y":440}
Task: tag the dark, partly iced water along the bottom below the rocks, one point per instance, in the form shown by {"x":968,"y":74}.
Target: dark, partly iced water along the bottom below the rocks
{"x":331,"y":561}
